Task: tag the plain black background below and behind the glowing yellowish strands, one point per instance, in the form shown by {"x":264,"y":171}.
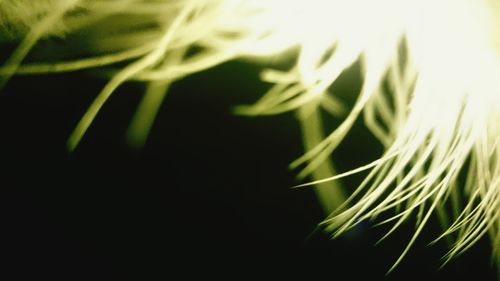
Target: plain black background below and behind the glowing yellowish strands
{"x":208,"y":196}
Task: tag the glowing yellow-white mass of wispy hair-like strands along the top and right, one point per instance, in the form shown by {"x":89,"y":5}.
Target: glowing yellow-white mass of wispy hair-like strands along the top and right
{"x":439,"y":119}
